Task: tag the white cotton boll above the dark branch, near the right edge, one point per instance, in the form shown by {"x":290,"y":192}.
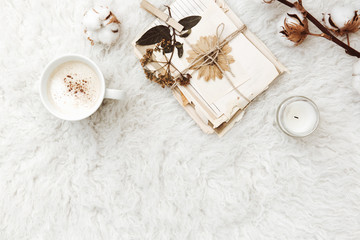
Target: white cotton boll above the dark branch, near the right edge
{"x":342,"y":20}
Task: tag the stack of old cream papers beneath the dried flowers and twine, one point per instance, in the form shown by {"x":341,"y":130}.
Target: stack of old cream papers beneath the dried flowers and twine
{"x":216,"y":105}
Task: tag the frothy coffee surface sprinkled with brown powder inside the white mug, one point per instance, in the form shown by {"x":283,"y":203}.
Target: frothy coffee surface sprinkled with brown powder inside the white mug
{"x":74,"y":88}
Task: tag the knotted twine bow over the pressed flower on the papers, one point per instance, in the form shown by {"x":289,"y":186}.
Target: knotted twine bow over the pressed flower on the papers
{"x":210,"y":57}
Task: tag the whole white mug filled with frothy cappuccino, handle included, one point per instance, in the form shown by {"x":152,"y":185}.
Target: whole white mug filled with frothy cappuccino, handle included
{"x":72,"y":87}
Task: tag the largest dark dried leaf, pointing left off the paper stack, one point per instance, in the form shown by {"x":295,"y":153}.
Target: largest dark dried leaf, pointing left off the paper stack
{"x":154,"y":35}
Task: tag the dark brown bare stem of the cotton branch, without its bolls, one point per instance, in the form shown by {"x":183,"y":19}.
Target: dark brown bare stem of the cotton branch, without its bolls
{"x":348,"y":49}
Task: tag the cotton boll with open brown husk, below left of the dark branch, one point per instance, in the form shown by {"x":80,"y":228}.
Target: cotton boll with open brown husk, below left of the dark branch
{"x":294,"y":28}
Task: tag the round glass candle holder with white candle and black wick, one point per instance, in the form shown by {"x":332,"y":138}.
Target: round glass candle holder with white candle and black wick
{"x":298,"y":116}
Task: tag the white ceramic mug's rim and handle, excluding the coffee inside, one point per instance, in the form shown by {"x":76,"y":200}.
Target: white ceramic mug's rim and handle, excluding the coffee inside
{"x":104,"y":92}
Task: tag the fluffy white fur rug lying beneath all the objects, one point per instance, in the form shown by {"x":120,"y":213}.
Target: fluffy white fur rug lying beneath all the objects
{"x":142,"y":169}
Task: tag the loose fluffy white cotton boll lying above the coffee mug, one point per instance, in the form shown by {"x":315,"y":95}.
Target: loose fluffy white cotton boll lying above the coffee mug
{"x":101,"y":25}
